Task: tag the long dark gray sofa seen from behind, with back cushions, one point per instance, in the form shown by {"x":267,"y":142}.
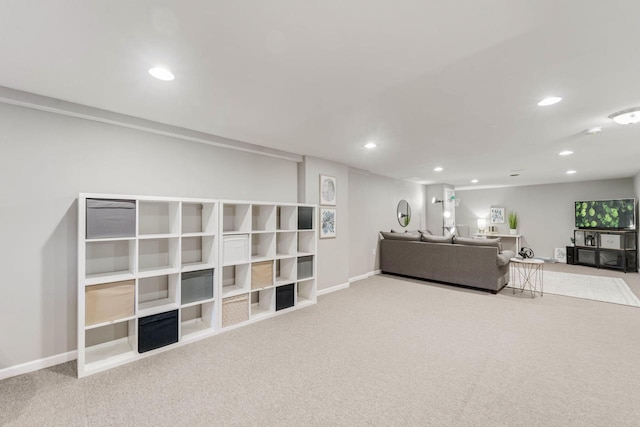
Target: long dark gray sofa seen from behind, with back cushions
{"x":467,"y":262}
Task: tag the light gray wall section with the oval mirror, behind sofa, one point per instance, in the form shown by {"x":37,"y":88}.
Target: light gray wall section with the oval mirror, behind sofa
{"x":373,"y":202}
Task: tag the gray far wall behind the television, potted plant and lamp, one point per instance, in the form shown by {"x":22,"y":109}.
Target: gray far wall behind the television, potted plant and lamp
{"x":545,"y":212}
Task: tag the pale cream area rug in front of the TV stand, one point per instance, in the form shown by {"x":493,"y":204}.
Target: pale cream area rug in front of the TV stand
{"x":597,"y":288}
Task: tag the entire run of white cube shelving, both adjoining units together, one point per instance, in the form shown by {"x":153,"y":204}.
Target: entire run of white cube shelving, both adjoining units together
{"x":191,"y":266}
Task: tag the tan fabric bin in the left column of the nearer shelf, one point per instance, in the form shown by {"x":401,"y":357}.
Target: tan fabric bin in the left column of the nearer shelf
{"x":109,"y":301}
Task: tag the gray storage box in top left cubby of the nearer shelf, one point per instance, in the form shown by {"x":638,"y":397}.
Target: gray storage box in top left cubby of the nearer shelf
{"x":110,"y":218}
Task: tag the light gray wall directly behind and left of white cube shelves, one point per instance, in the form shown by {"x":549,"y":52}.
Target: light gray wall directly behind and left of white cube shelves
{"x":45,"y":161}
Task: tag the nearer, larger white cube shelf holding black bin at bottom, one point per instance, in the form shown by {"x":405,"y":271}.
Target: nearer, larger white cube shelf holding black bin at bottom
{"x":164,"y":239}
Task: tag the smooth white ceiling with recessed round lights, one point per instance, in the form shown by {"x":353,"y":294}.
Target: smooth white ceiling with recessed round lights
{"x":432,"y":82}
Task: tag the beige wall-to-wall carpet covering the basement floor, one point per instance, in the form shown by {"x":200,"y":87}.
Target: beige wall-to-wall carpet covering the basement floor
{"x":386,"y":351}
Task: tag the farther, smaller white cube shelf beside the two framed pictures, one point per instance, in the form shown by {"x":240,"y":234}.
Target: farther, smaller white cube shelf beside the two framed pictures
{"x":276,"y":242}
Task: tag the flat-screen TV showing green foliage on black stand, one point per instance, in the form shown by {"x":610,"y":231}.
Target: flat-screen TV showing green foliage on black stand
{"x":608,"y":214}
